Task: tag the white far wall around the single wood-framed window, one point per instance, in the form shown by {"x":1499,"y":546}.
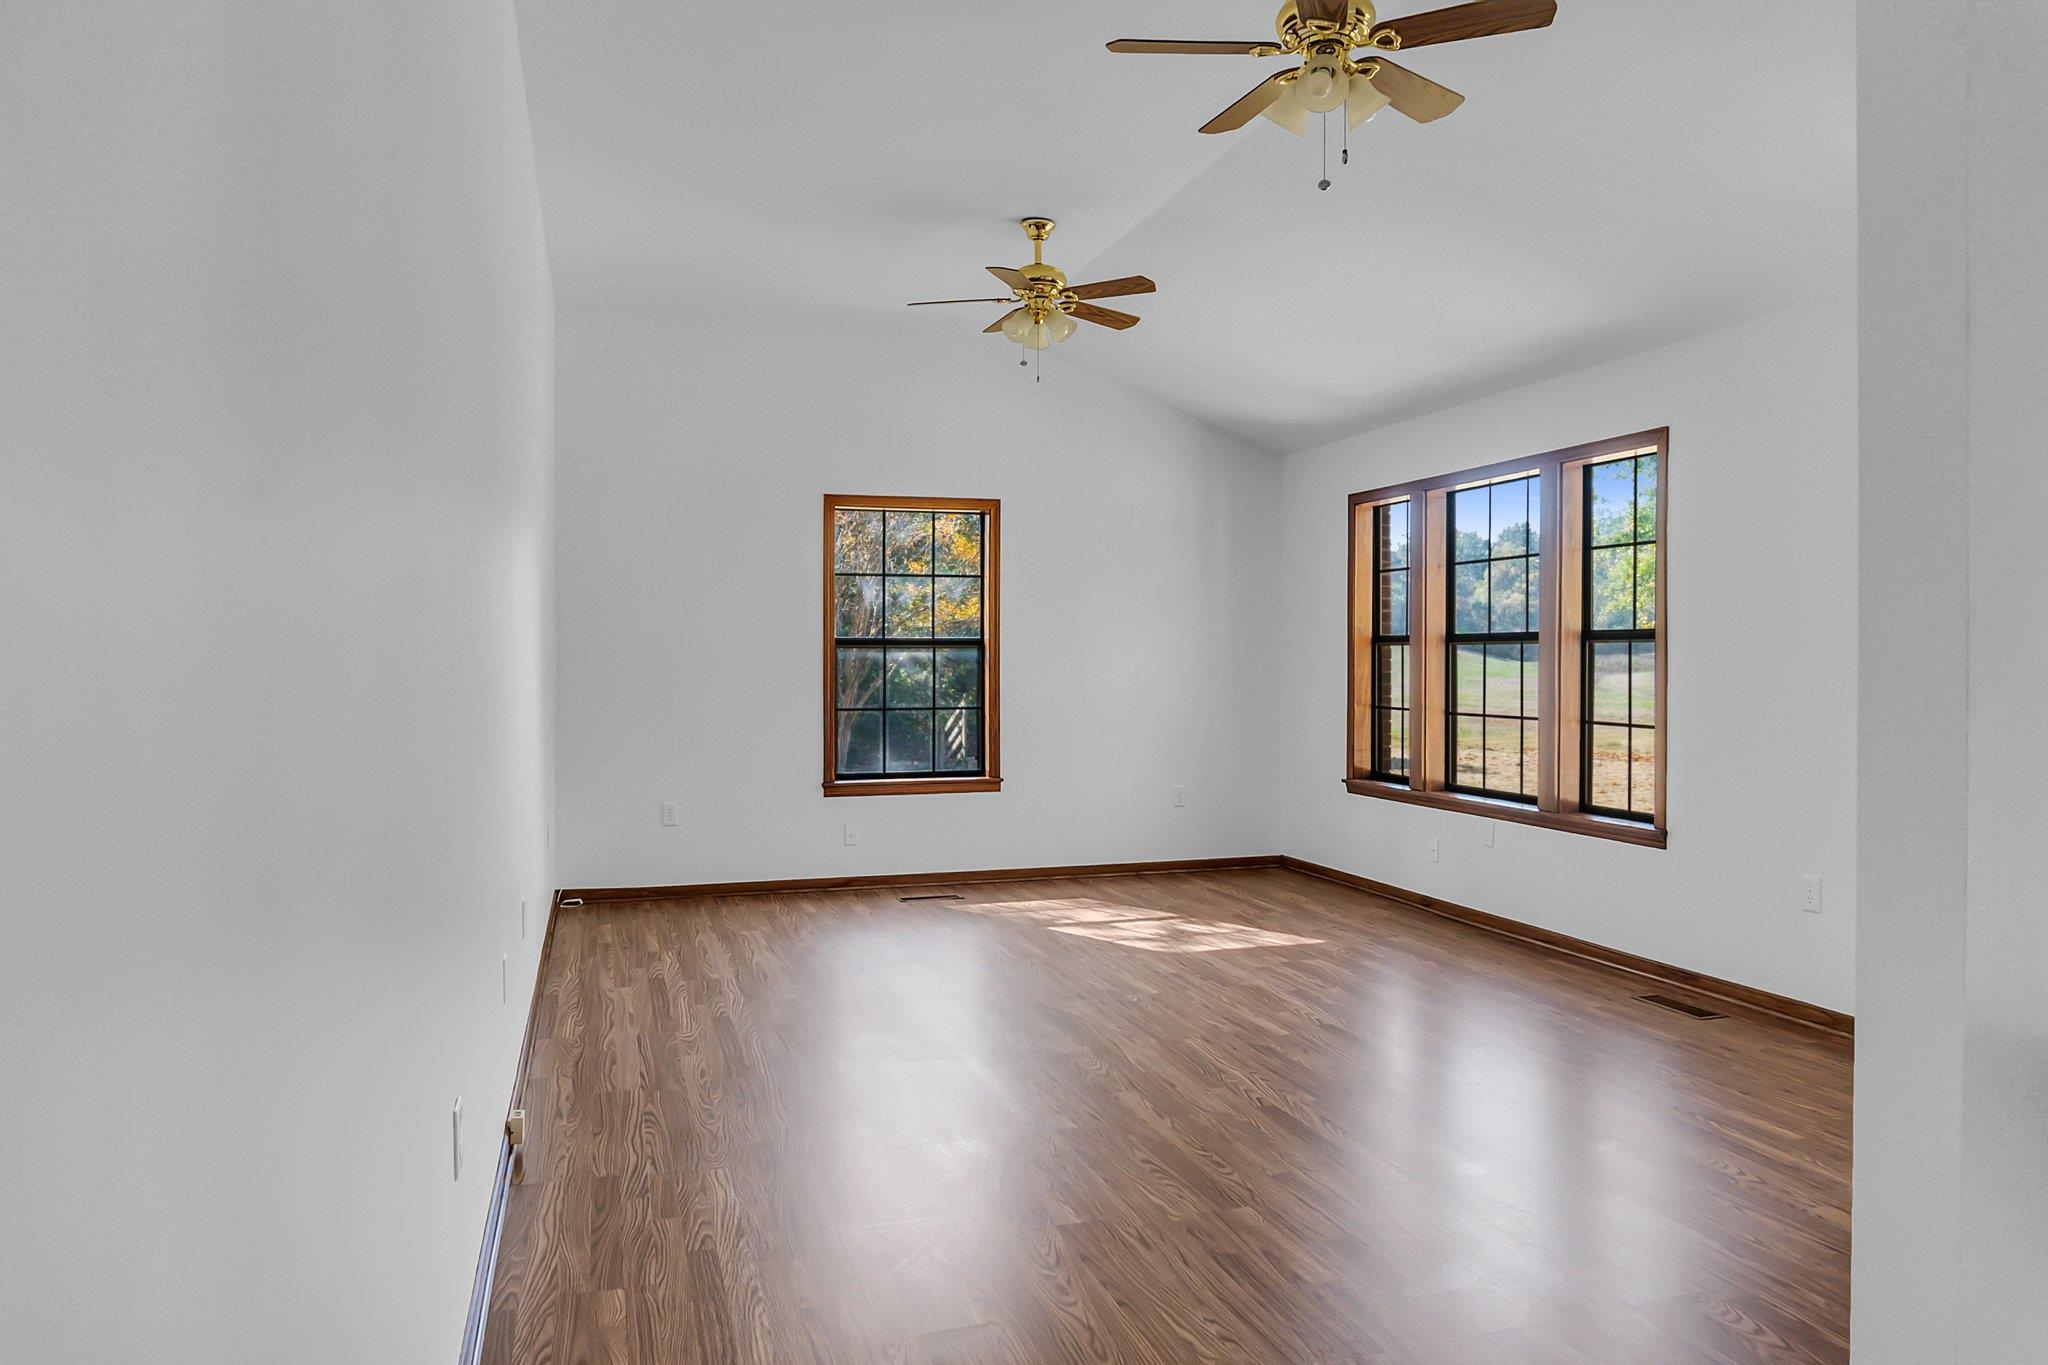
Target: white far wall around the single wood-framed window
{"x":1138,"y":597}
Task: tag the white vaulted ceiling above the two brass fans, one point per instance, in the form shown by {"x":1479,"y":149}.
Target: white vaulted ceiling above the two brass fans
{"x":1629,"y":177}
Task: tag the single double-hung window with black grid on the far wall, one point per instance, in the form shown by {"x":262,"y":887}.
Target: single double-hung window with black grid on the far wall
{"x":910,"y":646}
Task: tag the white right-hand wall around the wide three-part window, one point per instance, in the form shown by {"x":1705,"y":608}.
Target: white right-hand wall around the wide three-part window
{"x":1762,"y":615}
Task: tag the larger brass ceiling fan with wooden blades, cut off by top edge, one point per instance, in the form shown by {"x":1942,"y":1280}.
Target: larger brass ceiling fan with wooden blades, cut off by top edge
{"x":1326,"y":34}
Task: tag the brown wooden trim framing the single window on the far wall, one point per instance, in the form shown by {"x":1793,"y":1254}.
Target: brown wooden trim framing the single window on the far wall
{"x":921,"y":785}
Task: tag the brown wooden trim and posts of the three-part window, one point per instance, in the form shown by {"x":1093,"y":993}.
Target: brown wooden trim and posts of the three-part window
{"x":1560,"y":623}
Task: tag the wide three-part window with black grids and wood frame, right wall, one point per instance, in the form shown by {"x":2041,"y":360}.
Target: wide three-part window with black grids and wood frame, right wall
{"x":1508,"y":648}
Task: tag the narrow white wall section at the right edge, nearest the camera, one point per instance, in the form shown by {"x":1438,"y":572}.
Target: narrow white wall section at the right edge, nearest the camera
{"x":1953,"y":959}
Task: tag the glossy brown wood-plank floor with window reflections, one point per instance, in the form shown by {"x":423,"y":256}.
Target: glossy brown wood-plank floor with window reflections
{"x":1238,"y":1116}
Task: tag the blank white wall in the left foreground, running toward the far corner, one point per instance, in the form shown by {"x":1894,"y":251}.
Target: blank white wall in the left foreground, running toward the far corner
{"x":273,"y":668}
